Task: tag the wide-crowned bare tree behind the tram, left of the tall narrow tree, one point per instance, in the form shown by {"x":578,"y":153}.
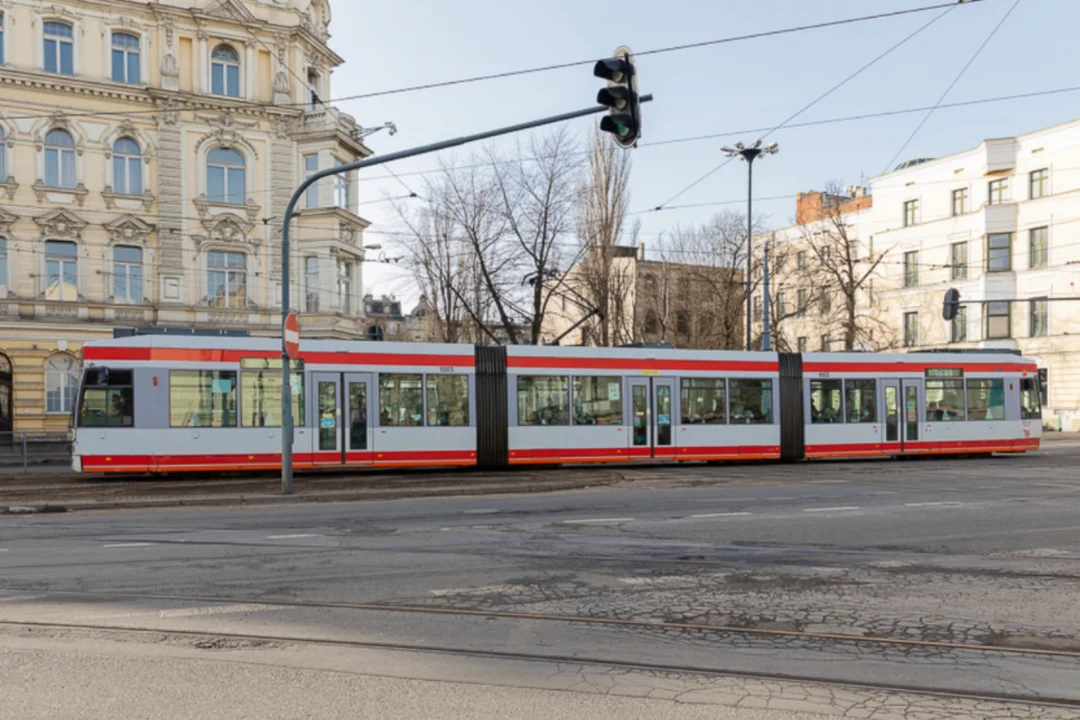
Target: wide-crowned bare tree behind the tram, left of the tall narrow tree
{"x":495,"y":230}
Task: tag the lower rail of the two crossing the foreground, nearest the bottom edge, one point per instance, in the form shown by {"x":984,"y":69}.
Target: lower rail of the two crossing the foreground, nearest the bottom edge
{"x":213,"y":640}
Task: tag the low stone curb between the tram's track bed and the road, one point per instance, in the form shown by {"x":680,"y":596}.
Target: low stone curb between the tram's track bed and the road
{"x":331,"y":496}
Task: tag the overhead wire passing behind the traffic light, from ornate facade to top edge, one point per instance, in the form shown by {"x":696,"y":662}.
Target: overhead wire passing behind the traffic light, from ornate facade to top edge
{"x":558,"y":66}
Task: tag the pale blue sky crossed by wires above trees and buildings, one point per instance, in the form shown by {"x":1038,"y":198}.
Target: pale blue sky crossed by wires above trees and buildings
{"x":721,"y":89}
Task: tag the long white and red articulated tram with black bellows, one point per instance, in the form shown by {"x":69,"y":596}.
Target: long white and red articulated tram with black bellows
{"x":164,"y":404}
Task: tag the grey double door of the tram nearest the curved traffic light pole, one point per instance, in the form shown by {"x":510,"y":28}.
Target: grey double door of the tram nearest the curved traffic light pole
{"x":342,"y":411}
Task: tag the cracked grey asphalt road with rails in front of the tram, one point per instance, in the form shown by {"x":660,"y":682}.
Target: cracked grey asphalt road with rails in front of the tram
{"x":796,"y":589}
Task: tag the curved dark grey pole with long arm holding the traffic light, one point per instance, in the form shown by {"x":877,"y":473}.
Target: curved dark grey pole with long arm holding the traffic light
{"x":287,"y":388}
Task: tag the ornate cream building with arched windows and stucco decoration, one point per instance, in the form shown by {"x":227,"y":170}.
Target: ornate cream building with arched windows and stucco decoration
{"x":146,"y":153}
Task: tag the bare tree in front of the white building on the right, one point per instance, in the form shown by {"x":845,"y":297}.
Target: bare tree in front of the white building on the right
{"x":845,"y":268}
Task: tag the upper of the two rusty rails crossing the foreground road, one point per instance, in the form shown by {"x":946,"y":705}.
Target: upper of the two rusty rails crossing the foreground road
{"x":585,"y":620}
